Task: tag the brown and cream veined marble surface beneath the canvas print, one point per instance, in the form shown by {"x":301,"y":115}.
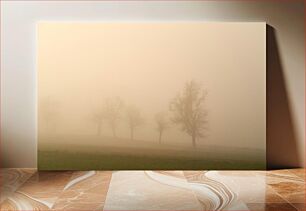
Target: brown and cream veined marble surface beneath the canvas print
{"x":28,"y":189}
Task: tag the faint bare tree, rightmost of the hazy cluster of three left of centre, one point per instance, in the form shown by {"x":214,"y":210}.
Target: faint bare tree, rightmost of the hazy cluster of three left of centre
{"x":134,"y":119}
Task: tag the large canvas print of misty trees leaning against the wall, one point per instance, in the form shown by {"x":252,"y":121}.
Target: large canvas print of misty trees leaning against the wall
{"x":188,"y":95}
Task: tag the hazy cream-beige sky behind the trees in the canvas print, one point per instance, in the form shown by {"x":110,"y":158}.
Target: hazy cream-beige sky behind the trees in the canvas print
{"x":146,"y":65}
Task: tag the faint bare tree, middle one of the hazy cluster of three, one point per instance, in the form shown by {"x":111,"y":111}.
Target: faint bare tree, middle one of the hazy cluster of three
{"x":112,"y":113}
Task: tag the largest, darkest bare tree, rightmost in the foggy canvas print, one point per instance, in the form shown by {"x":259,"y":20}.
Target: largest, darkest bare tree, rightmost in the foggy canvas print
{"x":188,"y":110}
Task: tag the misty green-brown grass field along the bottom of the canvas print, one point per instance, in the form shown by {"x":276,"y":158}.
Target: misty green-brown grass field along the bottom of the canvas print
{"x":107,"y":153}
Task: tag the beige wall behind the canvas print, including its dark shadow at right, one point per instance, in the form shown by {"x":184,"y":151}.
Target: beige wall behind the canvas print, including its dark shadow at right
{"x":18,"y":69}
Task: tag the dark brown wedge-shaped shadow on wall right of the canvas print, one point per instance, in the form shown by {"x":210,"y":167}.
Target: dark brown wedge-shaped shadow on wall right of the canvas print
{"x":281,"y":140}
